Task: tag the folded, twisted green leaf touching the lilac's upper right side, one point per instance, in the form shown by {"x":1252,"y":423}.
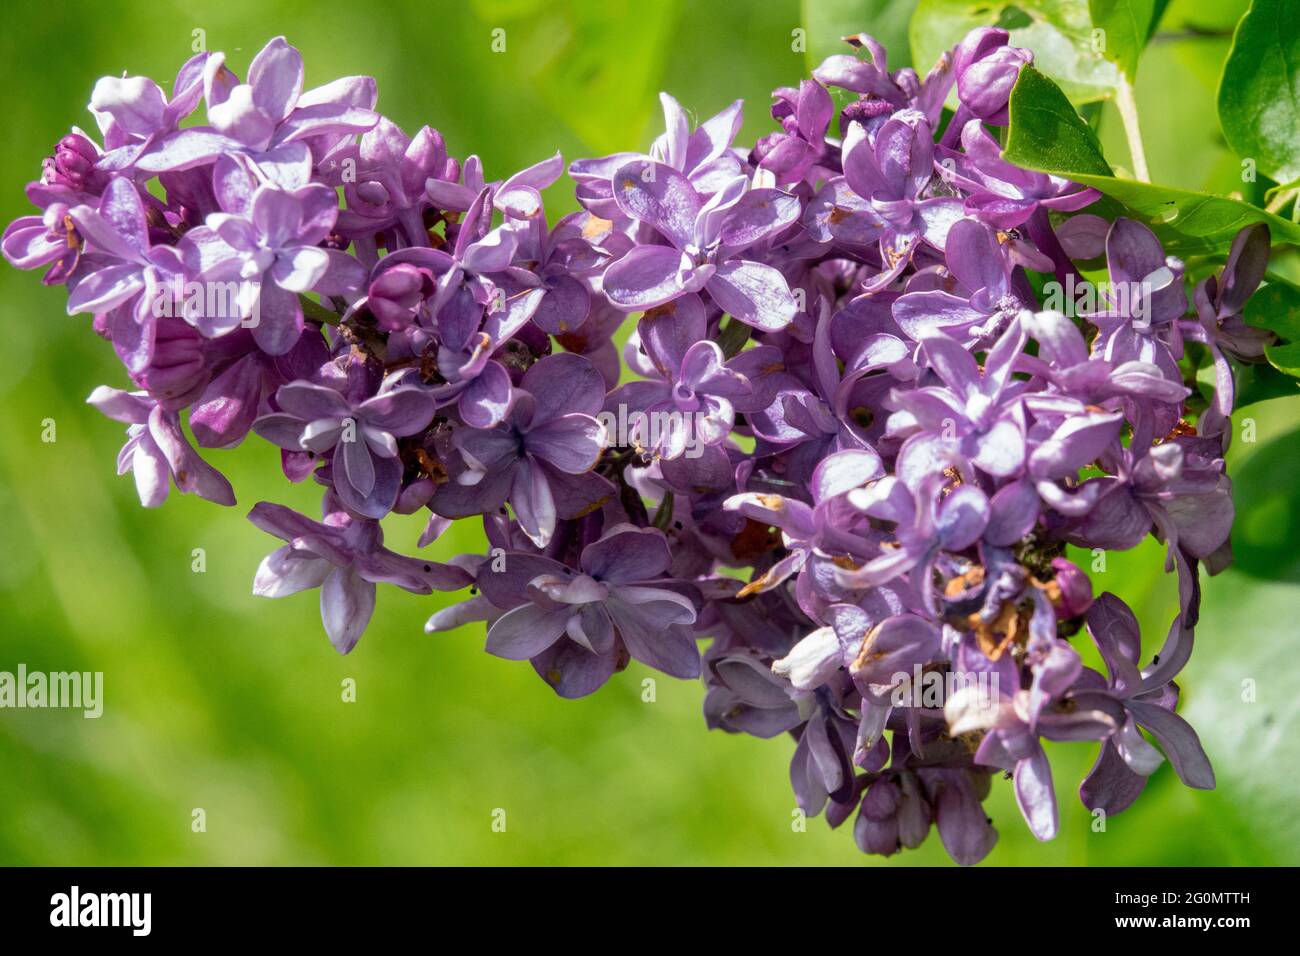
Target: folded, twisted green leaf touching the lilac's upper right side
{"x":1048,"y":136}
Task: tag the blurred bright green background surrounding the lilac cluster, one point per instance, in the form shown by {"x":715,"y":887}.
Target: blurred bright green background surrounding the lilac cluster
{"x":232,"y":704}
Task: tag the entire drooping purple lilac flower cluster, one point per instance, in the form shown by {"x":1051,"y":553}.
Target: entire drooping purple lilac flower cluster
{"x":852,"y":451}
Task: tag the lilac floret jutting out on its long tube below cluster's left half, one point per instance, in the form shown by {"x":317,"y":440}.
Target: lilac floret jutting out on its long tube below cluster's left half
{"x":345,"y":557}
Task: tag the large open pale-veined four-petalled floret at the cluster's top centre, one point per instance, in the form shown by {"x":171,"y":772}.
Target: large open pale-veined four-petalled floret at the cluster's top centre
{"x":707,"y":245}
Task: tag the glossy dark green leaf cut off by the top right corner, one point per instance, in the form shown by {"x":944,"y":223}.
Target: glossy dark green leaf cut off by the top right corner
{"x":1259,"y":98}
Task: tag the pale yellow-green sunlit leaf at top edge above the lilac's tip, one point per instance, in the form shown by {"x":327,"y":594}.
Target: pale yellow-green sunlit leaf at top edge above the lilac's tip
{"x":1059,"y":32}
